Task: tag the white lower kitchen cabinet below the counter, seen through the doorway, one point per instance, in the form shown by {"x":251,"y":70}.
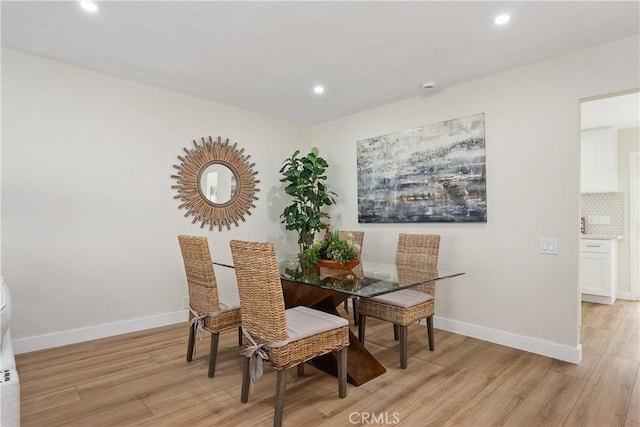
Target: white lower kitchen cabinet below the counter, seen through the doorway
{"x":598,"y":272}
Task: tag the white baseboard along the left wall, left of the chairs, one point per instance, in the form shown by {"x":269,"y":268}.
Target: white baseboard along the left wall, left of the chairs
{"x":41,"y":342}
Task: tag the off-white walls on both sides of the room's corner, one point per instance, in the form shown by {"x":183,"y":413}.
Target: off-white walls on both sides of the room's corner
{"x":77,"y":258}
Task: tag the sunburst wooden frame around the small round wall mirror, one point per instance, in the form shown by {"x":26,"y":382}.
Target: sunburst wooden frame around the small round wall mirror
{"x":191,"y":168}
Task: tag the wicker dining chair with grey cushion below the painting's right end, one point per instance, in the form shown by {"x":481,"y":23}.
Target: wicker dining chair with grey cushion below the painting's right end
{"x":406,"y":306}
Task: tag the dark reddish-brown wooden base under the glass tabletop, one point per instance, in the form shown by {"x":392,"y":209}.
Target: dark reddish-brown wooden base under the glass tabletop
{"x":361,"y":365}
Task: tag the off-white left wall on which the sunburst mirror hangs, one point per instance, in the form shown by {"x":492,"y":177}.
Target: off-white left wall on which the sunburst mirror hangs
{"x":89,"y":220}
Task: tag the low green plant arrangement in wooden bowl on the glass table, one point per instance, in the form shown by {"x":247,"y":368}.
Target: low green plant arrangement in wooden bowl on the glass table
{"x":342,"y":253}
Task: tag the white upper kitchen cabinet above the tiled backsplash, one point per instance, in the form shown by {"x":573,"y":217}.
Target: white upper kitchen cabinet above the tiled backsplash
{"x":599,"y":160}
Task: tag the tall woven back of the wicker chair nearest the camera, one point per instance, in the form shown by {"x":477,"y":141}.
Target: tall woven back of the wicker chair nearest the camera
{"x":261,"y":299}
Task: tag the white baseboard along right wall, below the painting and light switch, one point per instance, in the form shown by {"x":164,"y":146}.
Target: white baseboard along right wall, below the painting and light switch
{"x":532,"y":345}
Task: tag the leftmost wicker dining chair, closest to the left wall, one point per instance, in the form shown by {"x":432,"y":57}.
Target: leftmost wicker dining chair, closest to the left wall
{"x":211,"y":309}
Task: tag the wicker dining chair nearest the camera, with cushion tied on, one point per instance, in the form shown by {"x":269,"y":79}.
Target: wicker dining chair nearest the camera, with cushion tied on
{"x":288,"y":337}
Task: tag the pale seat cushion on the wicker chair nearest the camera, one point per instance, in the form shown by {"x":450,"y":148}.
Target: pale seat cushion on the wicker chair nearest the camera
{"x":303,"y":322}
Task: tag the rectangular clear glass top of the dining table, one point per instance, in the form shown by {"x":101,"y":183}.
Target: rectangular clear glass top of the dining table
{"x":367,"y":279}
